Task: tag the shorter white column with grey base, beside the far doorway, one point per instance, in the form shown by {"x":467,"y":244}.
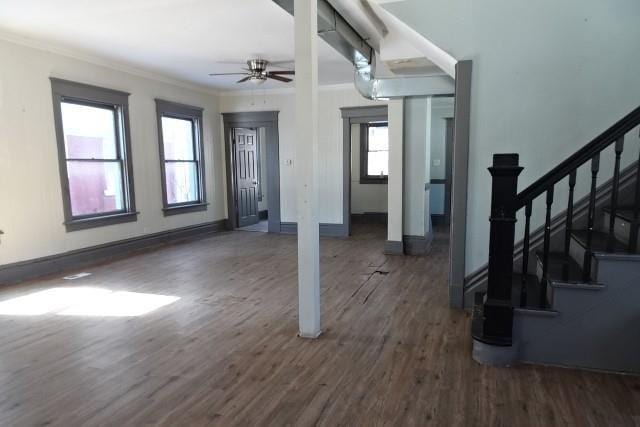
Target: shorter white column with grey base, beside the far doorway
{"x":394,"y":244}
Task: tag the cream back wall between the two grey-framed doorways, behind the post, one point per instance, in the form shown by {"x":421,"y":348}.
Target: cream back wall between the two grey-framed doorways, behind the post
{"x":330,"y":99}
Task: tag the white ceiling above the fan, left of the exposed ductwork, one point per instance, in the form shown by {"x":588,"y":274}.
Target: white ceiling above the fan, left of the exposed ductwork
{"x":182,"y":39}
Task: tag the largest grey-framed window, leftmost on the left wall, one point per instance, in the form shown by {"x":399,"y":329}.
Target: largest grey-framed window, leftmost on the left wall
{"x":92,"y":131}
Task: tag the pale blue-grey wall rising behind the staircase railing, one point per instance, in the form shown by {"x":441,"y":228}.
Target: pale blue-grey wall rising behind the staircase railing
{"x":548,"y":76}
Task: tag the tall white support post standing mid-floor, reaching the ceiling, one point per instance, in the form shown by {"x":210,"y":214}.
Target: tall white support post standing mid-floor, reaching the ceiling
{"x":306,"y":169}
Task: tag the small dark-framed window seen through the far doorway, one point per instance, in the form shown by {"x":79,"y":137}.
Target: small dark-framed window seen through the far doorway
{"x":374,"y":154}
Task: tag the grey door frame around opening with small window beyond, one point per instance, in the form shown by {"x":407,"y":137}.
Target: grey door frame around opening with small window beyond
{"x":351,"y":116}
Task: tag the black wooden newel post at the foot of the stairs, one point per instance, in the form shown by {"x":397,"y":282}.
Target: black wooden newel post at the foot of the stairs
{"x":498,"y":308}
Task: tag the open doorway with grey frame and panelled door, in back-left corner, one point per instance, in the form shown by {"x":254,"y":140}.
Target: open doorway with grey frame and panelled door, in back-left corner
{"x":253,"y":178}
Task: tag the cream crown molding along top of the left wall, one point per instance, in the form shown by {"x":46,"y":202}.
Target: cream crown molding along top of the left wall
{"x":100,"y":61}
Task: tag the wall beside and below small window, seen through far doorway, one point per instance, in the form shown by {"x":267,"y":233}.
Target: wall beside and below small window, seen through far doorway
{"x":365,"y":198}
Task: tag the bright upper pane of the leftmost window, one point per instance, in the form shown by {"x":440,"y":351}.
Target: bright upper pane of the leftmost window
{"x":89,"y":132}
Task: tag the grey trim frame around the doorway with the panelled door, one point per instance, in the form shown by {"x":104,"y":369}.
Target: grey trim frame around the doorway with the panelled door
{"x":254,"y":119}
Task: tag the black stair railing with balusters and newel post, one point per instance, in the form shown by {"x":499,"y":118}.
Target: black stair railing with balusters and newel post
{"x":506,"y":202}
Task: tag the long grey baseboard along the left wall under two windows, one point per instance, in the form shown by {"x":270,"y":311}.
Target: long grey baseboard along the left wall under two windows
{"x":38,"y":267}
